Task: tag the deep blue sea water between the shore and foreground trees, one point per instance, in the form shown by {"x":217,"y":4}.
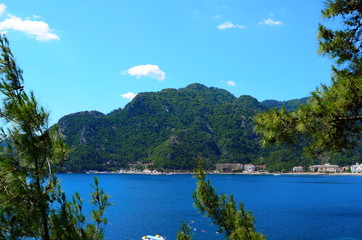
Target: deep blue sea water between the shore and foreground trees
{"x":285,"y":207}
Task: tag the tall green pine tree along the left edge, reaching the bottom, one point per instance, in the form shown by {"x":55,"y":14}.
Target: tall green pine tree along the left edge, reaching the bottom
{"x":32,"y":204}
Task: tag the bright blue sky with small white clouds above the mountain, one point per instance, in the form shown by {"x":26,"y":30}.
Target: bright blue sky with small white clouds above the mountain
{"x":97,"y":55}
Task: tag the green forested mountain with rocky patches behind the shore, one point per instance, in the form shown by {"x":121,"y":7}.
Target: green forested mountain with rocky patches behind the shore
{"x":172,"y":129}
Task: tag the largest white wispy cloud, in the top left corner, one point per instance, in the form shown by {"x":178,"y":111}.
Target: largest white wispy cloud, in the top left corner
{"x":39,"y":30}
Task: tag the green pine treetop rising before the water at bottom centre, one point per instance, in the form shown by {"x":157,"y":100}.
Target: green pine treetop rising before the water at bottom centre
{"x":236,"y":223}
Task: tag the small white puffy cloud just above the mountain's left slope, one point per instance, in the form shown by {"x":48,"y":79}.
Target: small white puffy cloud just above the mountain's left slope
{"x":148,"y":70}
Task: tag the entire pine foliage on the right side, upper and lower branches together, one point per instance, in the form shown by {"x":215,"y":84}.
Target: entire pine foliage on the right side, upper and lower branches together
{"x":331,"y":120}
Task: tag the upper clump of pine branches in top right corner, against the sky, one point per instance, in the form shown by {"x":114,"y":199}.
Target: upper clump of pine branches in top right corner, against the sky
{"x":343,"y":45}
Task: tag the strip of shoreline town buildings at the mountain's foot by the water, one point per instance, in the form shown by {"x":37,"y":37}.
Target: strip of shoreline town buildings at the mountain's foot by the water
{"x":238,"y":168}
